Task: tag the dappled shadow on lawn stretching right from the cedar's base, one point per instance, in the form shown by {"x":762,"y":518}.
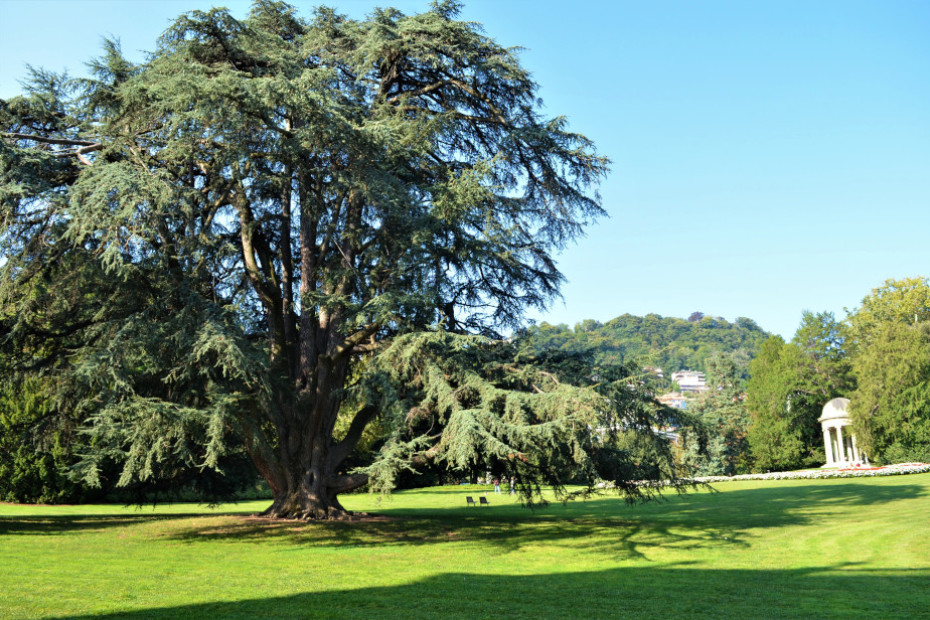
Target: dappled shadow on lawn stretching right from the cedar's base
{"x":607,"y":525}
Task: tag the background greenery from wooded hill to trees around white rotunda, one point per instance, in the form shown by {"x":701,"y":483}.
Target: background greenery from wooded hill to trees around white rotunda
{"x":766,"y":394}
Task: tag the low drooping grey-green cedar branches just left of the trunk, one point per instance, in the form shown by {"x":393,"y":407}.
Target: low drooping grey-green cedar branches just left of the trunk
{"x":172,"y":382}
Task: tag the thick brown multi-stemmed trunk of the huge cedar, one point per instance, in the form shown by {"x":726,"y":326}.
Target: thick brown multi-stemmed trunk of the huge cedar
{"x":312,"y":350}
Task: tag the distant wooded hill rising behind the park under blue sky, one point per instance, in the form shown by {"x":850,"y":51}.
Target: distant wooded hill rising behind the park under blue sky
{"x":652,"y":340}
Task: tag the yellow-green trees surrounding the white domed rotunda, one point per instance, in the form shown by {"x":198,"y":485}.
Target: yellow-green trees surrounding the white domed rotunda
{"x":878,"y":357}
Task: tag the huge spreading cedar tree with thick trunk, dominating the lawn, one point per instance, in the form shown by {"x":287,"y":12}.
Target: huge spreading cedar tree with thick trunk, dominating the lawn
{"x":285,"y":199}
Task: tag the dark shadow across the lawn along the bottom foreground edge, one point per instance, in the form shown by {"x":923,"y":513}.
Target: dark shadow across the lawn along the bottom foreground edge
{"x":642,"y":592}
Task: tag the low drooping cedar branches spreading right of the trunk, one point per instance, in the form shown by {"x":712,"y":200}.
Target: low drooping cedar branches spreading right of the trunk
{"x":475,"y":406}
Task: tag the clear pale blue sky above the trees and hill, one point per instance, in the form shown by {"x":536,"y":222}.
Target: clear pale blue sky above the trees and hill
{"x":768,"y":157}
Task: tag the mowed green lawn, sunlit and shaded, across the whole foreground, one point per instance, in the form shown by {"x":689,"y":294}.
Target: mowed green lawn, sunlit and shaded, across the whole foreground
{"x":852,"y":548}
